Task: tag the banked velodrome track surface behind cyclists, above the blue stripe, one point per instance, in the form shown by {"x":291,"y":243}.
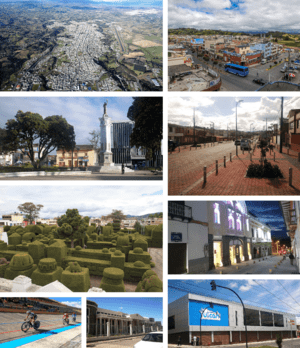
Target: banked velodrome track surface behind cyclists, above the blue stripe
{"x":10,"y":328}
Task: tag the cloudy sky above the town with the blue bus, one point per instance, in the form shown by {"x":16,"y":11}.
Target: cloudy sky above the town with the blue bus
{"x":234,"y":15}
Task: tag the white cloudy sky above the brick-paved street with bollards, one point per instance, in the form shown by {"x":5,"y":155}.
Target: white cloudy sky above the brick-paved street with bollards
{"x":222,"y":111}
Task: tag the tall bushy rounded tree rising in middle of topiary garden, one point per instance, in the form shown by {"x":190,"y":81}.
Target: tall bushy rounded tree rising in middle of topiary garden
{"x":72,"y":225}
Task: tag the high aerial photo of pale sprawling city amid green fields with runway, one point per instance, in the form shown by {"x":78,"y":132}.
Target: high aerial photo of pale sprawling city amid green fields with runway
{"x":80,"y":46}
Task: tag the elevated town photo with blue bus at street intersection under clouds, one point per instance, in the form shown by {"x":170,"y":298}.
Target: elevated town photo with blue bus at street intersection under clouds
{"x":229,"y":46}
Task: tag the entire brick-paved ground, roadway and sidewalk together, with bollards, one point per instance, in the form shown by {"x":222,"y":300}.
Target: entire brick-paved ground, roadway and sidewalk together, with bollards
{"x":231,"y":180}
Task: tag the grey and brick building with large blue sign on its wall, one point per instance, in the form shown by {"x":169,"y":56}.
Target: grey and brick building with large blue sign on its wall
{"x":223,"y":321}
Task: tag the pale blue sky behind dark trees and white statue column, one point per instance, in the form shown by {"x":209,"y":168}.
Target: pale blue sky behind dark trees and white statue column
{"x":81,"y":112}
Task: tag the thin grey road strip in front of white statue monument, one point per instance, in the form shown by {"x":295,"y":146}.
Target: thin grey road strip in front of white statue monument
{"x":94,"y":176}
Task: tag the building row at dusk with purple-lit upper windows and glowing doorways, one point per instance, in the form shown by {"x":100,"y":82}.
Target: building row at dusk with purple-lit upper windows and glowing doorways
{"x":210,"y":234}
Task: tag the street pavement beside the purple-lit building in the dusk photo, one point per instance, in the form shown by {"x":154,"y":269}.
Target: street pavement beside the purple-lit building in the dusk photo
{"x":261,"y":266}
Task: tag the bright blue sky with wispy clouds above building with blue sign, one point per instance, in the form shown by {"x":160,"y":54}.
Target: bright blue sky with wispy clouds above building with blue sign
{"x":281,"y":295}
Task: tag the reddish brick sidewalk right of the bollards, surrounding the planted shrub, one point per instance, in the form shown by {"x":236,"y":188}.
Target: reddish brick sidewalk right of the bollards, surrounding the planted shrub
{"x":232,"y":181}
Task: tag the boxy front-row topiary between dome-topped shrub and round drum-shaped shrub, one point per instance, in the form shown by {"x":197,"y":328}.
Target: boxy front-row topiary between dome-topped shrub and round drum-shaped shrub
{"x":76,"y":278}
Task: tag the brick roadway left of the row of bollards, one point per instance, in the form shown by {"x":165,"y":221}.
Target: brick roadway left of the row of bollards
{"x":186,"y":167}
